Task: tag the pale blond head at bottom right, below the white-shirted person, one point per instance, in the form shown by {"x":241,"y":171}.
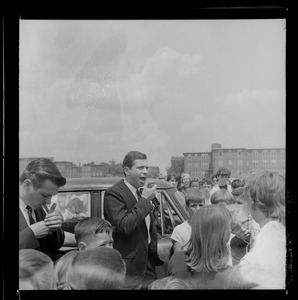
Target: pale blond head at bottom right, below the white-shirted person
{"x":251,"y":276}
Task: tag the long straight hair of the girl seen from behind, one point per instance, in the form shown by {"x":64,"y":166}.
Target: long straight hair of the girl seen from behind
{"x":211,"y":228}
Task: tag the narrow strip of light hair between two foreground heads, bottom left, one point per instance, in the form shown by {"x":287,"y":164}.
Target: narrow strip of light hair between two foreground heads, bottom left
{"x":61,"y":267}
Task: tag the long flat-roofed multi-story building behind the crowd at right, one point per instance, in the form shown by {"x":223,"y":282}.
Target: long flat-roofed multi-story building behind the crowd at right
{"x":241,"y":161}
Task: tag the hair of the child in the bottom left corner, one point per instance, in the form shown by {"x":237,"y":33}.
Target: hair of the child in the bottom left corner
{"x":40,"y":264}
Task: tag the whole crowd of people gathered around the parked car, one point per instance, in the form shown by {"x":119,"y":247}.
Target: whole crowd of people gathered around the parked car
{"x":234,"y":237}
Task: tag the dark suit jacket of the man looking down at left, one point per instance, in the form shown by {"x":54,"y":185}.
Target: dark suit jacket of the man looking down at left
{"x":48,"y":244}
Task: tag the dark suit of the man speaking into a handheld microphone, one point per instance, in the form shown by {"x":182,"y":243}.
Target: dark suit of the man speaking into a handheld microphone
{"x":127,"y":215}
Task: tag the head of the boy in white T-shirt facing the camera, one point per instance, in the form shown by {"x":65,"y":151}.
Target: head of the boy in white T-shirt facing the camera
{"x":194,"y":199}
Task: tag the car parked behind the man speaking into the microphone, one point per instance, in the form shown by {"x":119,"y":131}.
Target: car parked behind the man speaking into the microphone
{"x":84,"y":197}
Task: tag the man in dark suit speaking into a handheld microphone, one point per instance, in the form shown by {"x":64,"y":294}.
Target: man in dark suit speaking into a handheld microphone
{"x":135,"y":235}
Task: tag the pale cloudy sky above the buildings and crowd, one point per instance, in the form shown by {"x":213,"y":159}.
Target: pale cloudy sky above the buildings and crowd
{"x":92,"y":90}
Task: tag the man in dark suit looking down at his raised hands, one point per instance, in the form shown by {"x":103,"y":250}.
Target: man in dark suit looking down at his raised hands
{"x":37,"y":229}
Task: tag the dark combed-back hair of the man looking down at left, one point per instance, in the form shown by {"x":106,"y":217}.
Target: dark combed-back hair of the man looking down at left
{"x":39,"y":170}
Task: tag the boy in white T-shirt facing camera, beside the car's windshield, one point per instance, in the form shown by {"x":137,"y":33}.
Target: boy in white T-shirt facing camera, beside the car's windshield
{"x":194,"y":199}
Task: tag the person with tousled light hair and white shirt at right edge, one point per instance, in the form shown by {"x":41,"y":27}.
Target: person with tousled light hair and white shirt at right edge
{"x":265,"y":195}
